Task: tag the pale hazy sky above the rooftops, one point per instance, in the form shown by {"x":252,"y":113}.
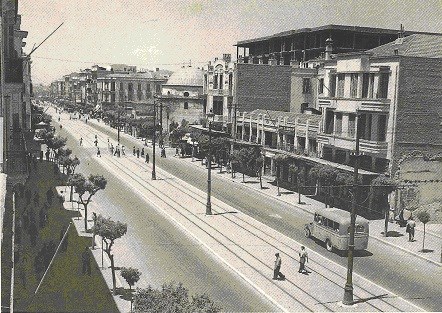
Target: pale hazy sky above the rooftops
{"x":170,"y":33}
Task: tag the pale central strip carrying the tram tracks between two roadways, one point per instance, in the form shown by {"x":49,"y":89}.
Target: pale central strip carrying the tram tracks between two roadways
{"x":247,"y":247}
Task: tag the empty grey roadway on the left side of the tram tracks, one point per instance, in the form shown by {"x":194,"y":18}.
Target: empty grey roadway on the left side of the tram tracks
{"x":154,"y":245}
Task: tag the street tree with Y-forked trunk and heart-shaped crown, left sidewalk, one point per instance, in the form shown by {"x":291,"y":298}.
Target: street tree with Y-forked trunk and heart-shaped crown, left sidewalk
{"x":86,"y":188}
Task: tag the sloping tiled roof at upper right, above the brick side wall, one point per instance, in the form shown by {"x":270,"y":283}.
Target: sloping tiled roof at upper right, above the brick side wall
{"x":417,"y":45}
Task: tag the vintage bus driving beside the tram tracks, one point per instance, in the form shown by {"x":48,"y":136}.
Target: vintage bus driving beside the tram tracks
{"x":332,"y":226}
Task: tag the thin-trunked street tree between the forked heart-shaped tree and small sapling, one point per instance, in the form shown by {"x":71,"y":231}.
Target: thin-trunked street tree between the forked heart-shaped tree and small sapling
{"x":110,"y":231}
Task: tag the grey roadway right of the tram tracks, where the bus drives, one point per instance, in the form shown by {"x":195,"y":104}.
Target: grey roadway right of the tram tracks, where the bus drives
{"x":405,"y":275}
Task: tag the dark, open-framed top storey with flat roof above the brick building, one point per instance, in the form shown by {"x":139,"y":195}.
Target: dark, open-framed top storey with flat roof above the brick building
{"x":308,"y":43}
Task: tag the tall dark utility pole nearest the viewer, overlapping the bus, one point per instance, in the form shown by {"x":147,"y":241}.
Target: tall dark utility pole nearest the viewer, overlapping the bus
{"x":348,"y":289}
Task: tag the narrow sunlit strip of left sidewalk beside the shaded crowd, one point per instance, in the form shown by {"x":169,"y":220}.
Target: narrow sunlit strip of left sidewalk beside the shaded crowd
{"x":64,"y":191}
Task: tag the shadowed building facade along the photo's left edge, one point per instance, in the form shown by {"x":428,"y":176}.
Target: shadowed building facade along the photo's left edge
{"x":16,"y":90}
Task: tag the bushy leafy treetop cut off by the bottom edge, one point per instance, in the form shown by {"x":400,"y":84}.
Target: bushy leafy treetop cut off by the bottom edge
{"x":171,"y":298}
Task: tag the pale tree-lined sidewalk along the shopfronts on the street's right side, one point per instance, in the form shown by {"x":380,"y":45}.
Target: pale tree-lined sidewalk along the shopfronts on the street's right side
{"x":398,"y":238}
